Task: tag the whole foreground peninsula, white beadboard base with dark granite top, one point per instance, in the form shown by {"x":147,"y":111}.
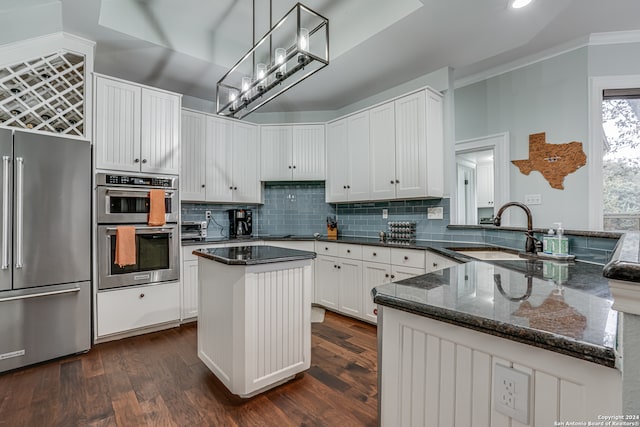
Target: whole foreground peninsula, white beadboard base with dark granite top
{"x":442,"y":337}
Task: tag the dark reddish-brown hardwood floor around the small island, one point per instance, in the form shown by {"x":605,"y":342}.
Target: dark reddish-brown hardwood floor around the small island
{"x":158,"y":380}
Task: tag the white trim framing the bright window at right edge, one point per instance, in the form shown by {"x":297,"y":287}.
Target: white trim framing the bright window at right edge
{"x":596,"y":134}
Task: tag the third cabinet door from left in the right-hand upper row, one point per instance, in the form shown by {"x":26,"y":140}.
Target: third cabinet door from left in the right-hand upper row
{"x":382,"y":147}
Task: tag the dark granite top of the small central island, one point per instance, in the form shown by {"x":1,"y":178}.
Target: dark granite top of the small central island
{"x":253,"y":255}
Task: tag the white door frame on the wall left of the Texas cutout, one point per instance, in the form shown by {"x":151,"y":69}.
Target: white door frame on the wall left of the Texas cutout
{"x":499,"y":143}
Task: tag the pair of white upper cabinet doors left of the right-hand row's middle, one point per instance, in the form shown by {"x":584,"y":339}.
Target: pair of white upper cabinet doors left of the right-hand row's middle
{"x":348,"y":159}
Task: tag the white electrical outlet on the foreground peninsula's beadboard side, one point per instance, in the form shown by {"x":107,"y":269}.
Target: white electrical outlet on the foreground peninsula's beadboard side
{"x":511,"y":393}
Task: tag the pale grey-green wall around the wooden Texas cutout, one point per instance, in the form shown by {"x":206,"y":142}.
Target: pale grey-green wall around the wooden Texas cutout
{"x":550,"y":96}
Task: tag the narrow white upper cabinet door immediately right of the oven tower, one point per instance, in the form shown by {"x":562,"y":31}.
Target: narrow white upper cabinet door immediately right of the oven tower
{"x":194,"y":162}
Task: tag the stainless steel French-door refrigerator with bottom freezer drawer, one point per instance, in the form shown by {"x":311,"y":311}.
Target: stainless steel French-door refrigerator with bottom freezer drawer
{"x":45,"y":248}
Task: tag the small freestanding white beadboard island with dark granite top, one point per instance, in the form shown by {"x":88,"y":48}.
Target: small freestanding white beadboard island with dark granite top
{"x":254,"y":315}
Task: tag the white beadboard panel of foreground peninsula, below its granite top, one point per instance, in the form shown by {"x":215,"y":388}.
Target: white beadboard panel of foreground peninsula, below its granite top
{"x":433,"y":374}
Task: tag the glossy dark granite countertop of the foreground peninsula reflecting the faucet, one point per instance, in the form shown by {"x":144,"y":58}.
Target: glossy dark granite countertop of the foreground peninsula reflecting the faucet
{"x":565,"y":308}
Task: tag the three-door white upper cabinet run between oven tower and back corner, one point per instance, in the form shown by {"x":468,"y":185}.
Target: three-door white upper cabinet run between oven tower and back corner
{"x":221,"y":161}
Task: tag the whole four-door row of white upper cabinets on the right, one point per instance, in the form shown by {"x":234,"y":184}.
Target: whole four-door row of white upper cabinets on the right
{"x":393,"y":151}
